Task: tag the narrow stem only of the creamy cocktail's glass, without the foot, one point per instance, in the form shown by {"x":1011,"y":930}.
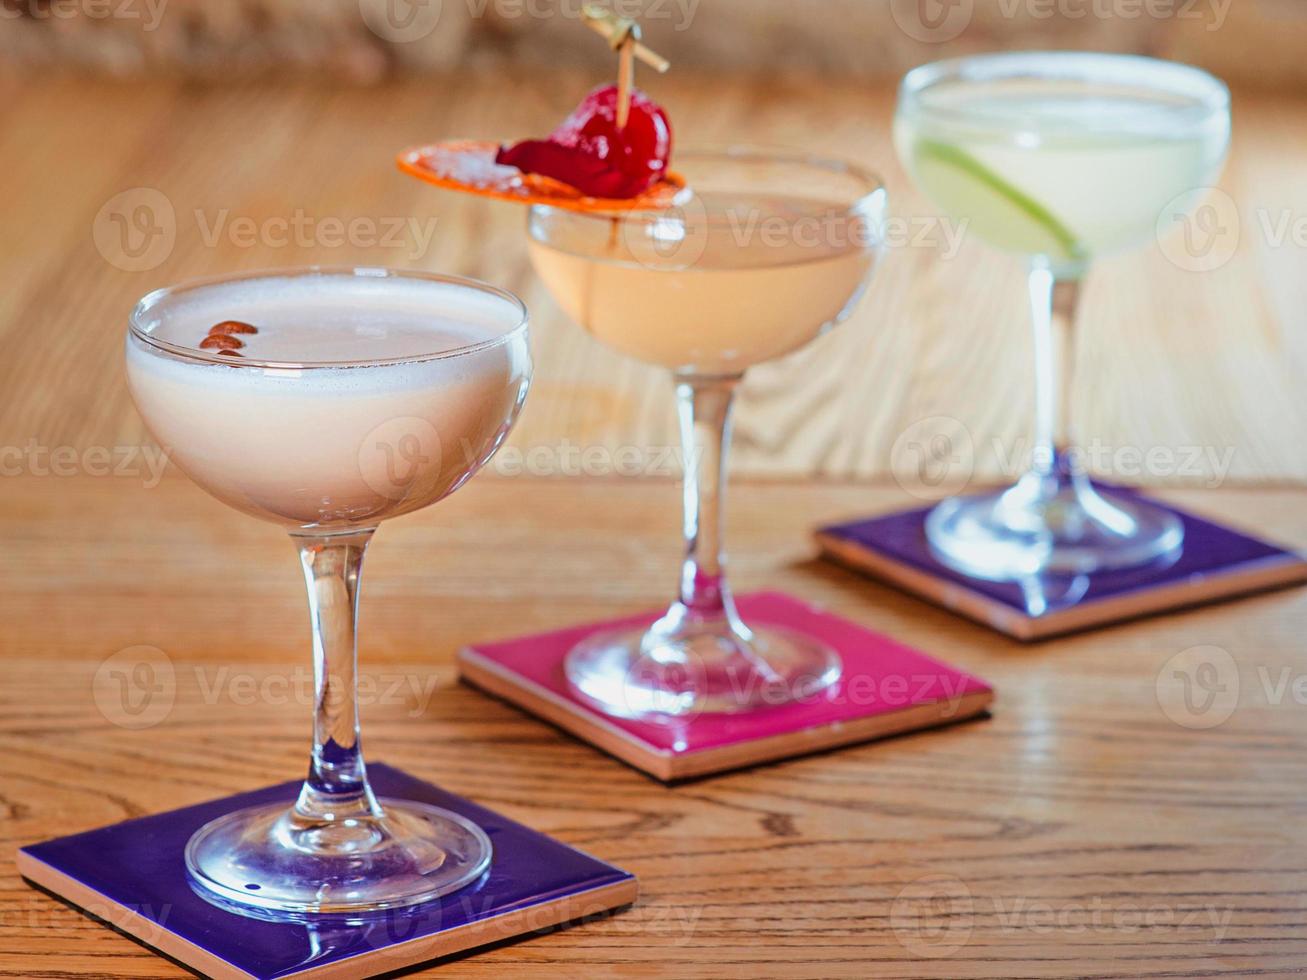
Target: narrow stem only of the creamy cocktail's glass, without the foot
{"x":337,"y":789}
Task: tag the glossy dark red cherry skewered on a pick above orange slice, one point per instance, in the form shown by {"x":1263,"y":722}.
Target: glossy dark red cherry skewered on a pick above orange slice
{"x":597,"y":156}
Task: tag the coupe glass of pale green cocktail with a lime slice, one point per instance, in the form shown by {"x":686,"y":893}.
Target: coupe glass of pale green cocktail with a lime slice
{"x":1059,"y":159}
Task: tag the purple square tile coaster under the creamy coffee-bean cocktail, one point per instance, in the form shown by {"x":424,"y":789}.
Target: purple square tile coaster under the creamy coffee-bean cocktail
{"x":133,"y":877}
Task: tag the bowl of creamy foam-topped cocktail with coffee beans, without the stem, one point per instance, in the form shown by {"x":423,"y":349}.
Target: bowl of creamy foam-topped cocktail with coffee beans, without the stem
{"x":344,"y":407}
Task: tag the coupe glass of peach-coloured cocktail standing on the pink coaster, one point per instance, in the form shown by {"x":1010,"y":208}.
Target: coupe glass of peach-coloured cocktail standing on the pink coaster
{"x":765,"y":253}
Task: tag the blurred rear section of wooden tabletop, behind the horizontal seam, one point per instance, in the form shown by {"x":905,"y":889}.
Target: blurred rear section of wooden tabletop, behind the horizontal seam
{"x":118,"y":188}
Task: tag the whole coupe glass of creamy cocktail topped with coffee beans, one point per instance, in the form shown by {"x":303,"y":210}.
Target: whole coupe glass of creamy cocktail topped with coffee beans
{"x":402,"y":386}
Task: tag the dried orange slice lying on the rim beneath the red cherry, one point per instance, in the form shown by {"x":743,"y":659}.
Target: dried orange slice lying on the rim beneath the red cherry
{"x":470,"y":167}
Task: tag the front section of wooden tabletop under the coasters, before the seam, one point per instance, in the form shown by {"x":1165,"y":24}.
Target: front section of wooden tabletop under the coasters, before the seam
{"x":1079,"y":833}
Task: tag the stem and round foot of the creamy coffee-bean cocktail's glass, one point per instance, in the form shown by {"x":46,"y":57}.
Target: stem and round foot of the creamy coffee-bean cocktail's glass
{"x":337,"y":850}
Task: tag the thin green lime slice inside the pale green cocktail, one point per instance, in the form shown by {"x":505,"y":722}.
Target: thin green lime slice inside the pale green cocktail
{"x":998,"y":211}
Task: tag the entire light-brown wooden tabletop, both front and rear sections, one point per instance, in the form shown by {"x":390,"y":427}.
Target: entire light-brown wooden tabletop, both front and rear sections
{"x":1079,"y":833}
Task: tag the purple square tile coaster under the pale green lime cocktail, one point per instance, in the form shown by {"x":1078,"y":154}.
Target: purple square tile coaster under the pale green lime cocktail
{"x":1216,"y":564}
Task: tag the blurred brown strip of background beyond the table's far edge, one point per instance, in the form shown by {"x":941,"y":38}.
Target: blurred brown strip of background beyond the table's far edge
{"x":1255,"y":41}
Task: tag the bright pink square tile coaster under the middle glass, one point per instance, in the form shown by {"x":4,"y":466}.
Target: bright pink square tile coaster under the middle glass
{"x":887,"y":689}
